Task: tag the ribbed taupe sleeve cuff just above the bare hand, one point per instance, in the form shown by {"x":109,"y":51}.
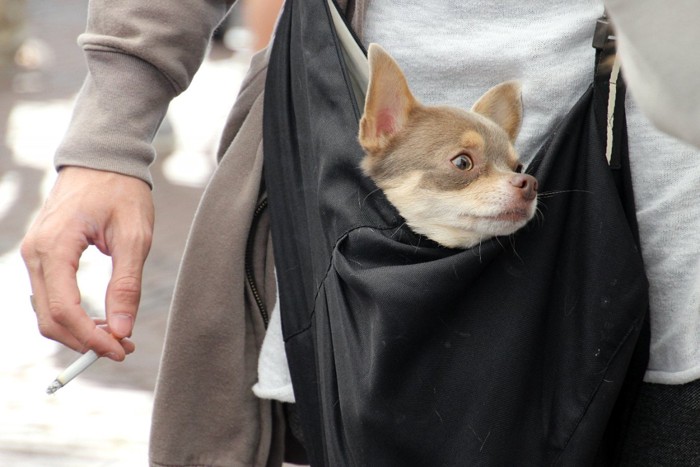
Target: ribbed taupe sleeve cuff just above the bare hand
{"x":116,"y":115}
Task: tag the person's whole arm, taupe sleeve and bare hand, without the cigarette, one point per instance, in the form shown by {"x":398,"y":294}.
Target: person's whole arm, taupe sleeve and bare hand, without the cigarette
{"x":139,"y":56}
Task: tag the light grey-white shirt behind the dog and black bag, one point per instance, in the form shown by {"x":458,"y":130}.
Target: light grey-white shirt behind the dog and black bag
{"x":452,"y":51}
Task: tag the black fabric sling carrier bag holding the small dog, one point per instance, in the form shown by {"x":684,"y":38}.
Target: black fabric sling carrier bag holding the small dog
{"x":405,"y":353}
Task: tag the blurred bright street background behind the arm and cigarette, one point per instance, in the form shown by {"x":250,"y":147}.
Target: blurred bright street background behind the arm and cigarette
{"x":101,"y":418}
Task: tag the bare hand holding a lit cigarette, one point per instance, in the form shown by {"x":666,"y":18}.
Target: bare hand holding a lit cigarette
{"x":86,"y":207}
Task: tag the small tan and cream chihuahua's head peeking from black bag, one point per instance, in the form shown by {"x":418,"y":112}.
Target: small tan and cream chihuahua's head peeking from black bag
{"x":452,"y":174}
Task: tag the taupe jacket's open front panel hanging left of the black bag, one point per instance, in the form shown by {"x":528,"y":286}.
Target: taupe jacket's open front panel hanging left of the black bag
{"x":215,"y":329}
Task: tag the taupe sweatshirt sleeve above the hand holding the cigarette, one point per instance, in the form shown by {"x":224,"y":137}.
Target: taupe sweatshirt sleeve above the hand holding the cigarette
{"x":140,"y":55}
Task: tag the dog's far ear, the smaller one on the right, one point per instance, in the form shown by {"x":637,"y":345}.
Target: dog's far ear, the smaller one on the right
{"x":503,"y":104}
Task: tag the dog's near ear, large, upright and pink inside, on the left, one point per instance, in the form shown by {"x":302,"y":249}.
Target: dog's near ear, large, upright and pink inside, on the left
{"x":389,"y":101}
